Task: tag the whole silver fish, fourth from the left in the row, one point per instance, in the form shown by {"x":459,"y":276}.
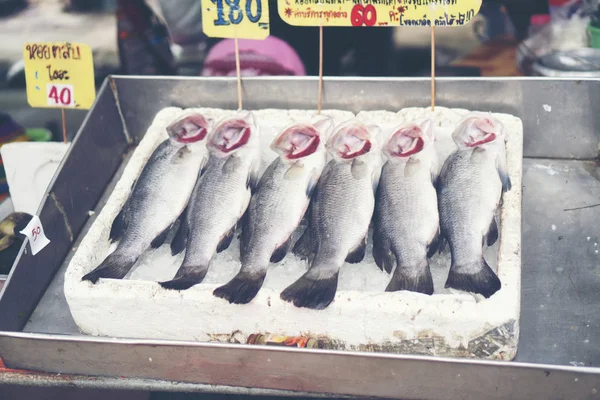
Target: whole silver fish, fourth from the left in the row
{"x":340,"y":215}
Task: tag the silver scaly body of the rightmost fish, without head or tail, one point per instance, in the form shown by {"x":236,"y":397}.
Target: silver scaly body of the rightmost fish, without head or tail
{"x":469,"y":193}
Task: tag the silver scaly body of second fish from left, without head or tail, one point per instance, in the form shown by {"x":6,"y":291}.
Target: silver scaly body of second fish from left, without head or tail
{"x":219,"y":200}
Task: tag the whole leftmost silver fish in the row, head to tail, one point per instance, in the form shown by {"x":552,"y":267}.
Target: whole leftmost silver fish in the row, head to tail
{"x":158,"y":196}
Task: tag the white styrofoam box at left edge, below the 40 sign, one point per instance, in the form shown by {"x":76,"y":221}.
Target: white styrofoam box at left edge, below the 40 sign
{"x":30,"y":166}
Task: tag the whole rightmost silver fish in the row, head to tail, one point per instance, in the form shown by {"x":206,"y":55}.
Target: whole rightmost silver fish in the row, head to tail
{"x":470,"y":188}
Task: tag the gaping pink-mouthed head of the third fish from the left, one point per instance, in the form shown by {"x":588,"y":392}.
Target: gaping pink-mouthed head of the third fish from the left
{"x":297,"y":141}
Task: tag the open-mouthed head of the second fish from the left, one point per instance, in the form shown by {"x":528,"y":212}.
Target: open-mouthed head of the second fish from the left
{"x":232,"y":134}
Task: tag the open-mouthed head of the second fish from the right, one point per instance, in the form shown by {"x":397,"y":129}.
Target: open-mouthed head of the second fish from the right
{"x":410,"y":139}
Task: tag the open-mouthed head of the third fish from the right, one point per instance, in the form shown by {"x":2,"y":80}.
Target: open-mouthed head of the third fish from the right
{"x":351,"y":140}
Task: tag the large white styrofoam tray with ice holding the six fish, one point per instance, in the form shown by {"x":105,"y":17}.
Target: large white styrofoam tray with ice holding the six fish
{"x":362,"y":316}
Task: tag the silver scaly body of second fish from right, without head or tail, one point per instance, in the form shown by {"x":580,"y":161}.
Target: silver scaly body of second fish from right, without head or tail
{"x":407,"y":212}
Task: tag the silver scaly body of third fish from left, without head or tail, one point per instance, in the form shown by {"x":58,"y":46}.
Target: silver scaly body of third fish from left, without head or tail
{"x":274,"y":213}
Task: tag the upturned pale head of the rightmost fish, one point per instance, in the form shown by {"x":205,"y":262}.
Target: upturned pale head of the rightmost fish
{"x":477,"y":130}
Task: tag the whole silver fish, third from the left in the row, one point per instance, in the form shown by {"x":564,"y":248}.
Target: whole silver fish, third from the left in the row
{"x":279,"y":204}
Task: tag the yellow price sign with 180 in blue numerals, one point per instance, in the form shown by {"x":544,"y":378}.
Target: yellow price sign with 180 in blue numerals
{"x":242,"y":19}
